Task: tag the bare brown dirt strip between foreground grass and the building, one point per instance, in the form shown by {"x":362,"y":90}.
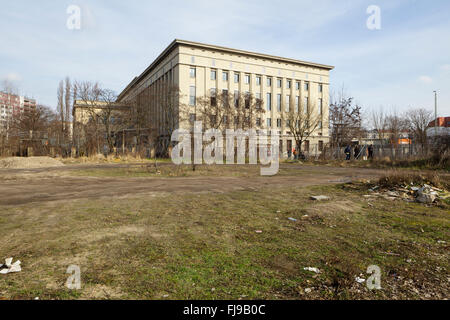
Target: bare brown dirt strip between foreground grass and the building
{"x":63,"y":183}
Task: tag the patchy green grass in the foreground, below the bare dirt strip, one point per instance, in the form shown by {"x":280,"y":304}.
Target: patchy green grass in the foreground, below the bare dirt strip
{"x":205,"y":246}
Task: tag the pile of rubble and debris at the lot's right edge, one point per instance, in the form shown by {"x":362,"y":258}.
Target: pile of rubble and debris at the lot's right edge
{"x":410,"y":193}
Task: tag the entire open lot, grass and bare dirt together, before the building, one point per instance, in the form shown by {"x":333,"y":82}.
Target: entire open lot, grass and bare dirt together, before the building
{"x":137,"y":231}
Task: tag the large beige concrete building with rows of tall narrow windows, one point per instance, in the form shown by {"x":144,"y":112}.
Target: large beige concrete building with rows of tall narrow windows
{"x":198,"y":69}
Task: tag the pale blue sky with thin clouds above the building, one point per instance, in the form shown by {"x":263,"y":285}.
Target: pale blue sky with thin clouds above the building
{"x":397,"y":66}
